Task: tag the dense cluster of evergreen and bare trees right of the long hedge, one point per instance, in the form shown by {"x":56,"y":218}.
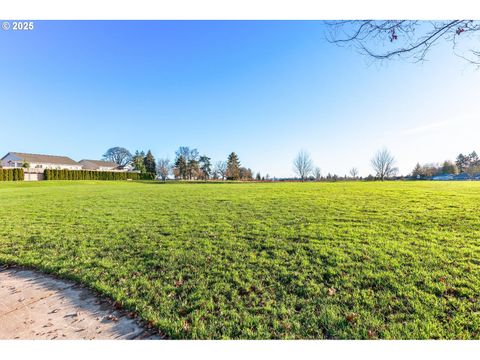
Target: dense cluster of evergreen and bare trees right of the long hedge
{"x":187,"y":165}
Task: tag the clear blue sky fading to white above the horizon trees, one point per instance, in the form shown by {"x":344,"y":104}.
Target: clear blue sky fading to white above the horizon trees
{"x":262,"y":89}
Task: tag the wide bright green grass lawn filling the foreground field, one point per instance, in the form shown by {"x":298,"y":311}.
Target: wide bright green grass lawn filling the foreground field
{"x":393,"y":260}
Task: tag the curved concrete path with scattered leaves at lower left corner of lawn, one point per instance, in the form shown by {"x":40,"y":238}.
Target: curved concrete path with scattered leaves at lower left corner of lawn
{"x":38,"y":306}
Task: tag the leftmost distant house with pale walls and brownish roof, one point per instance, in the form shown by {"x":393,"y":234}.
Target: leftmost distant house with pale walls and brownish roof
{"x":38,"y":161}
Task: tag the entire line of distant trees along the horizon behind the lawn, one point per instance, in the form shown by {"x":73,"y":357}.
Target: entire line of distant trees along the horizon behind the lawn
{"x":189,"y":164}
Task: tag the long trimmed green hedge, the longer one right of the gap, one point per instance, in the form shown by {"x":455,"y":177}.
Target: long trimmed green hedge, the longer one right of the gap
{"x":64,"y":174}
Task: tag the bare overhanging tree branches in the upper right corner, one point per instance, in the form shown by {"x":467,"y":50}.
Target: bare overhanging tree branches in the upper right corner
{"x":408,"y":39}
